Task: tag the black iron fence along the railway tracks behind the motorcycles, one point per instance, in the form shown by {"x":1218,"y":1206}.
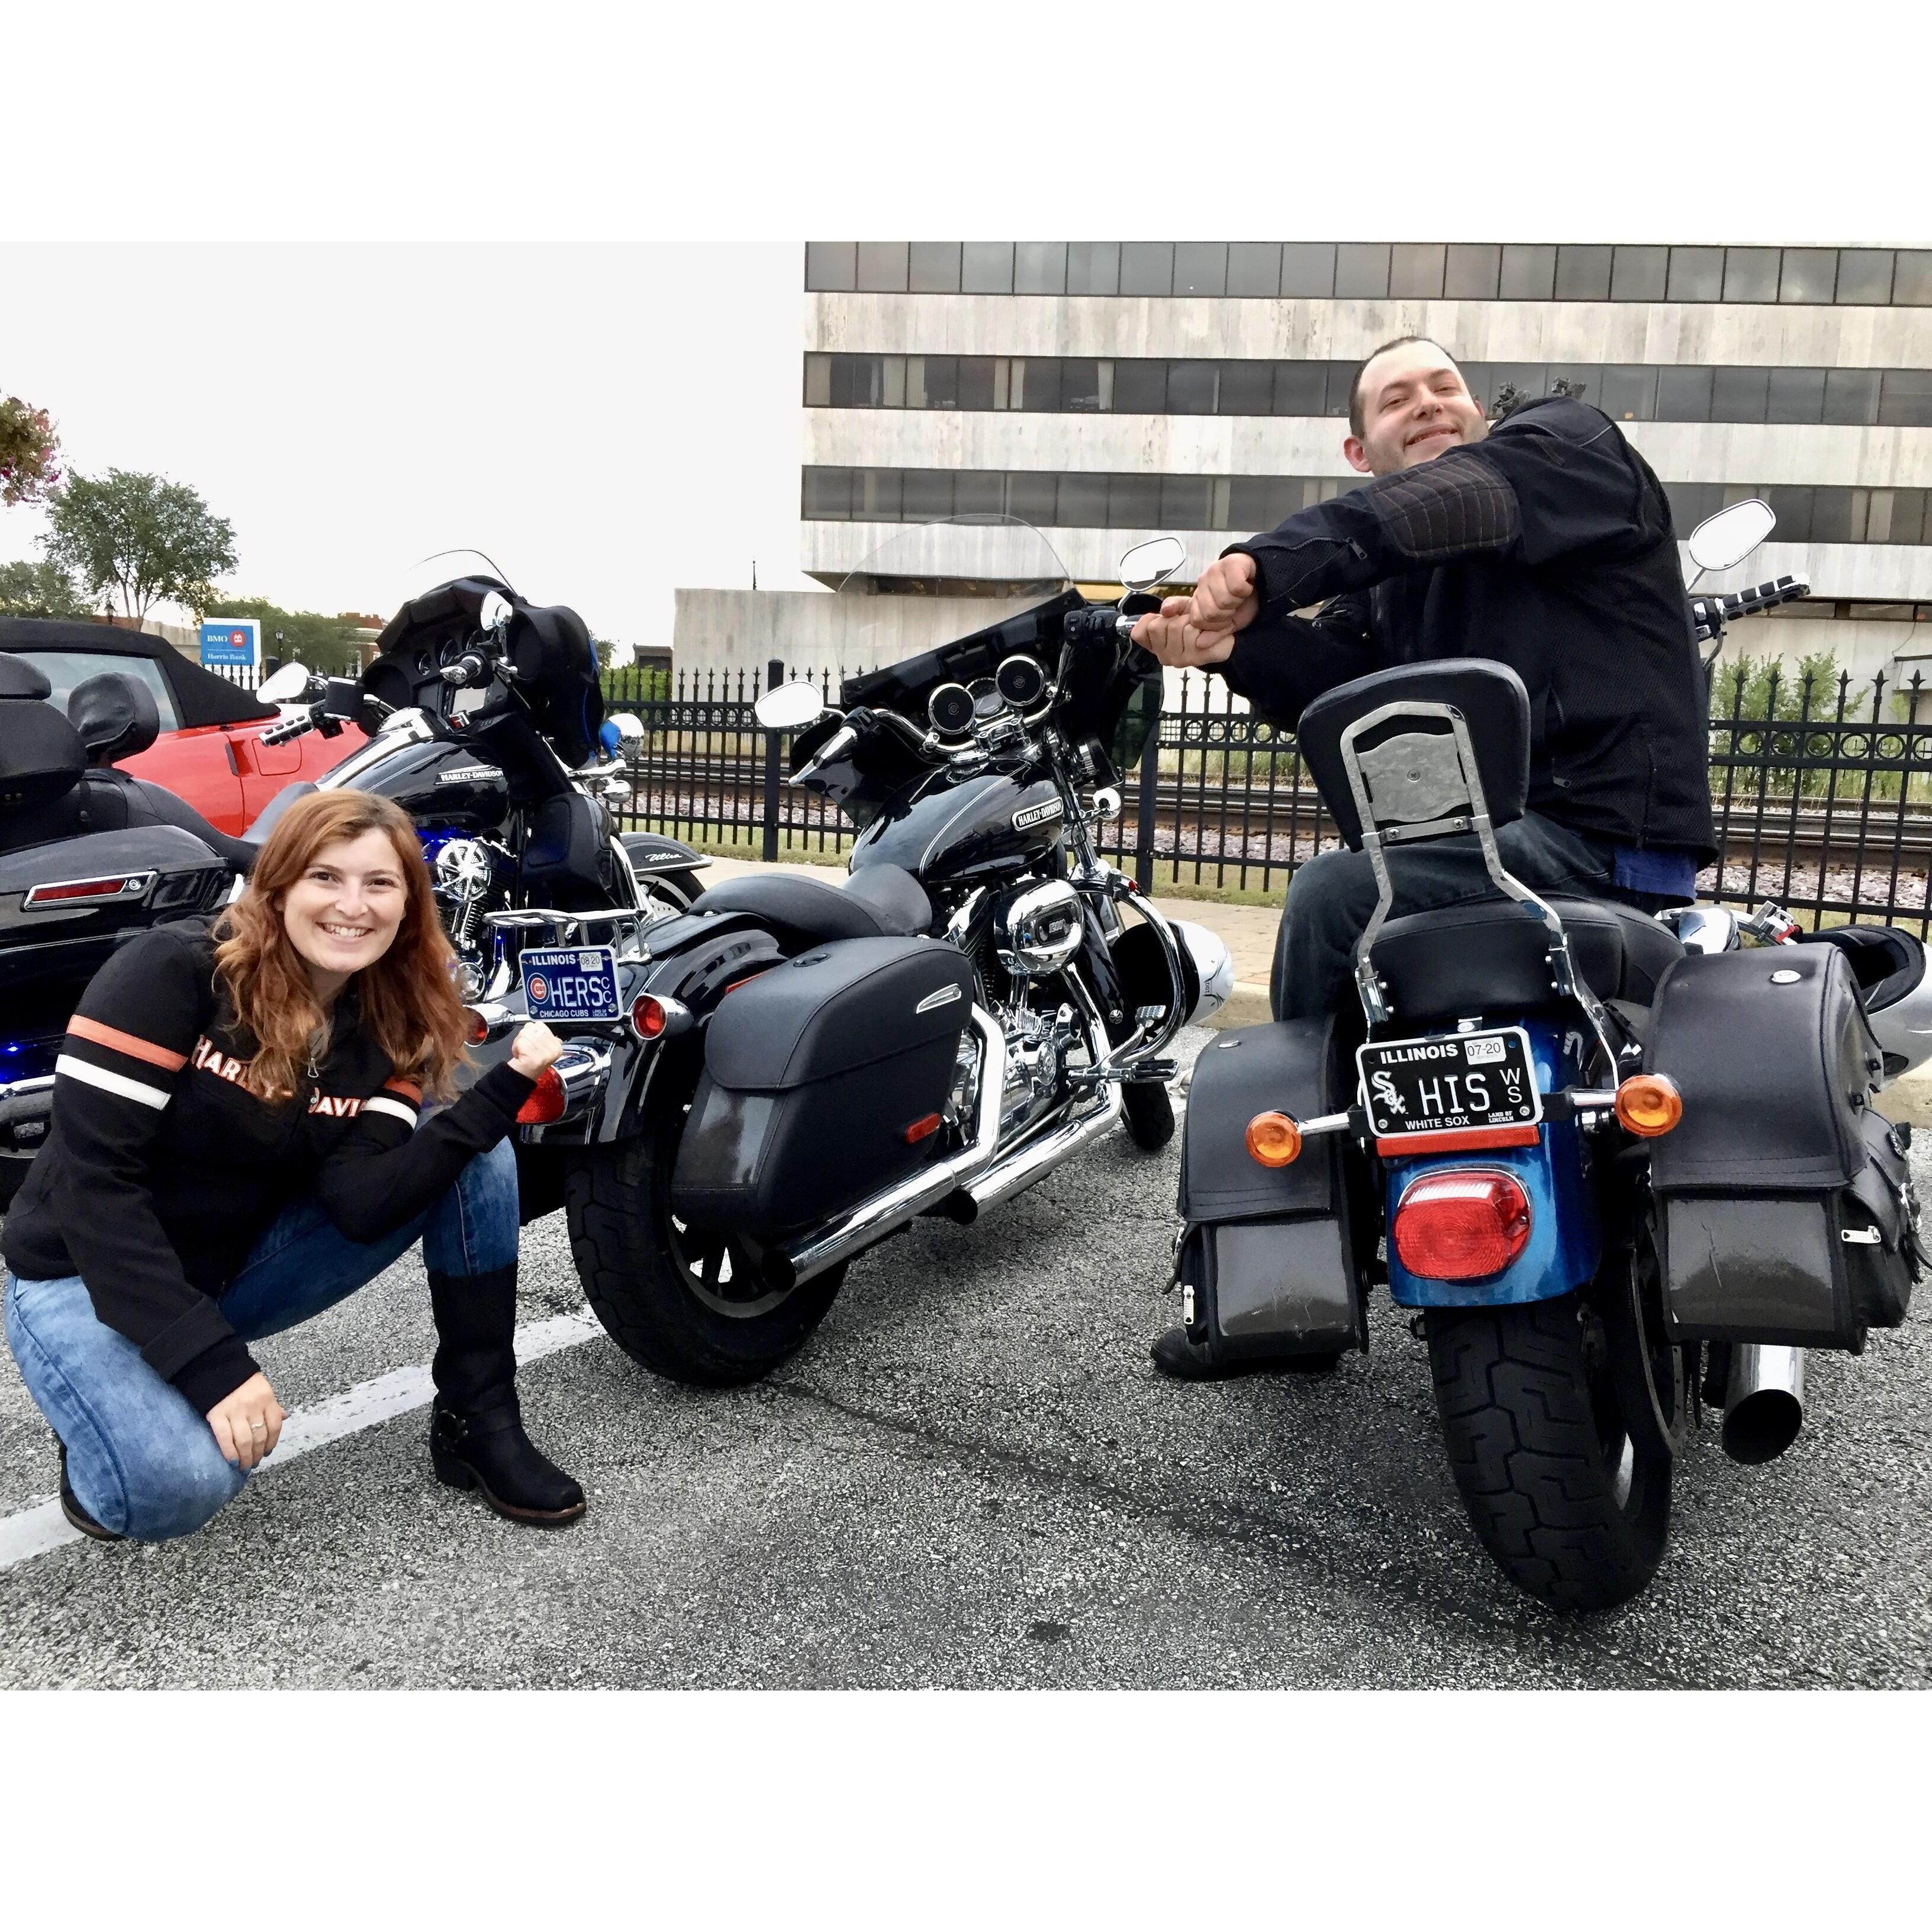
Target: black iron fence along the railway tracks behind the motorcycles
{"x":1823,"y":791}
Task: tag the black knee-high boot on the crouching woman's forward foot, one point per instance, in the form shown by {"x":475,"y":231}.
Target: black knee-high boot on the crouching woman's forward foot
{"x":476,"y":1433}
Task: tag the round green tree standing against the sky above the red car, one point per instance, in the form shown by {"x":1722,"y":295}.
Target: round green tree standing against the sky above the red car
{"x":140,"y":536}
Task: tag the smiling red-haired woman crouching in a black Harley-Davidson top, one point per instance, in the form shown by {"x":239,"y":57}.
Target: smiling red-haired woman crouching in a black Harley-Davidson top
{"x":239,"y":1141}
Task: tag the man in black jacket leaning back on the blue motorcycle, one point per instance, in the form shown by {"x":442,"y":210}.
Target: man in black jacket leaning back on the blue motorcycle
{"x":1543,"y":542}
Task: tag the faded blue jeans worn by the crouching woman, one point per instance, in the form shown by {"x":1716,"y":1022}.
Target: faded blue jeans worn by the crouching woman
{"x":140,"y":1458}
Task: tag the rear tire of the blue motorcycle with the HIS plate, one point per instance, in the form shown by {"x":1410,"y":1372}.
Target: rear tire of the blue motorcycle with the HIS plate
{"x":1572,"y":1504}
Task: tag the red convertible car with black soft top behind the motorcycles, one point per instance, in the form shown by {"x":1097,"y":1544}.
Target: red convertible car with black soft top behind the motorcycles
{"x":210,"y":749}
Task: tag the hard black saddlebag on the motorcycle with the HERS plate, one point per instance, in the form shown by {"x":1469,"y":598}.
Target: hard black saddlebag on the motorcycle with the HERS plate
{"x":820,"y":1081}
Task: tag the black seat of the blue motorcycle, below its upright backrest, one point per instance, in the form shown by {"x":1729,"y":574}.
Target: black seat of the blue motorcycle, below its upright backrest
{"x":1489,"y":955}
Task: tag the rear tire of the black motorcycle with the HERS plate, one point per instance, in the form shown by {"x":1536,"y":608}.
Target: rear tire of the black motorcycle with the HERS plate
{"x":627,"y":1247}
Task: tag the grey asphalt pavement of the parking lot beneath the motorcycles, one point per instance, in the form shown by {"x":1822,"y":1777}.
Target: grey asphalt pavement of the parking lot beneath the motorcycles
{"x":973,"y":1477}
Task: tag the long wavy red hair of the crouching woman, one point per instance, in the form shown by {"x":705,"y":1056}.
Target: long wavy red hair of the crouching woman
{"x":409,"y":998}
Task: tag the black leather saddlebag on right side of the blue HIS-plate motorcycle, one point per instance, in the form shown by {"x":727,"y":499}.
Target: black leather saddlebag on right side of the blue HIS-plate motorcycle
{"x":1784,"y":1203}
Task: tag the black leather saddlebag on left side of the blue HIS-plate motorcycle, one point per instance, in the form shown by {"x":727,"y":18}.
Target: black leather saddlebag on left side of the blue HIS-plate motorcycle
{"x":1270,"y":1253}
